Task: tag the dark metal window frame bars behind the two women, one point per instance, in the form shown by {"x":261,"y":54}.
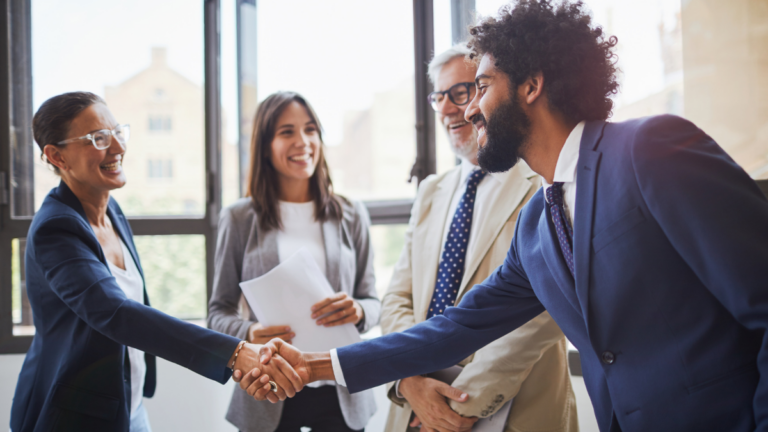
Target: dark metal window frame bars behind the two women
{"x":17,"y":23}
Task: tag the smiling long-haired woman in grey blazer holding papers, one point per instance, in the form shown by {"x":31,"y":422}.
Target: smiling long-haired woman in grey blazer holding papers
{"x":291,"y":205}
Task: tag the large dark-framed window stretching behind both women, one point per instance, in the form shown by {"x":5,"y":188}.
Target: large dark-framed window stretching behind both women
{"x":189,"y":92}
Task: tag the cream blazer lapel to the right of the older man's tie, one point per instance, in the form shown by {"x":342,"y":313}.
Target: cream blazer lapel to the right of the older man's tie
{"x":503,"y":202}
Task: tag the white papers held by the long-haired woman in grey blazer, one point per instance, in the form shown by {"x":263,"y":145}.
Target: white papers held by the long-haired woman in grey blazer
{"x":285,"y":295}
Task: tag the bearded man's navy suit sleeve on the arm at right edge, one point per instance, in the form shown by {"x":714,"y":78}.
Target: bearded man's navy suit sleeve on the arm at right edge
{"x":715,"y":217}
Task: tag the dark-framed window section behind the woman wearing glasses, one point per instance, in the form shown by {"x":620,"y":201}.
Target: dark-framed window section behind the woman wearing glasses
{"x":160,"y":79}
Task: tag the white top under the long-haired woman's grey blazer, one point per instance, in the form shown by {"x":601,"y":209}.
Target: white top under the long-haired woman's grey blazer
{"x":301,"y":230}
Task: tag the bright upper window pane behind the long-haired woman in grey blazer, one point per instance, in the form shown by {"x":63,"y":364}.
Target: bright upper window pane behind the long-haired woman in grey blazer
{"x":354,"y":63}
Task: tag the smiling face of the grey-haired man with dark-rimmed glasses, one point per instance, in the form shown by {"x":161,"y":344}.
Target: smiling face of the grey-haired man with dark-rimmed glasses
{"x":461,"y":134}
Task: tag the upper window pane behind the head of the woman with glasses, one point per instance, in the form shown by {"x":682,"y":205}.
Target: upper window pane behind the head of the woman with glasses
{"x":151,"y":75}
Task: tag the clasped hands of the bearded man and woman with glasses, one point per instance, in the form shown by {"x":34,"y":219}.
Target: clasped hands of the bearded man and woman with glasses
{"x":281,"y":363}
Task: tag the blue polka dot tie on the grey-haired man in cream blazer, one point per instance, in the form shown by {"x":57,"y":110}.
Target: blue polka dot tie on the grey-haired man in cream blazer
{"x":451,"y":267}
